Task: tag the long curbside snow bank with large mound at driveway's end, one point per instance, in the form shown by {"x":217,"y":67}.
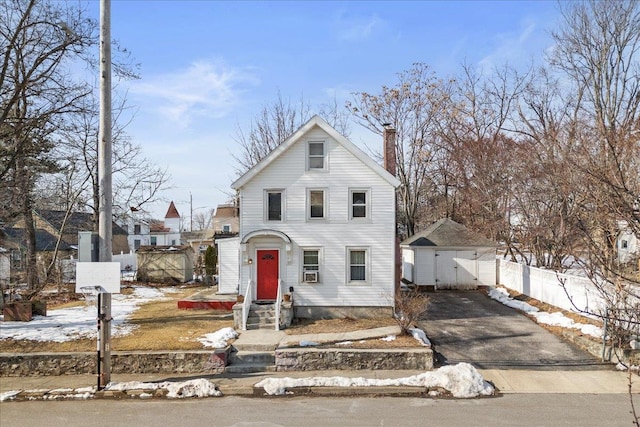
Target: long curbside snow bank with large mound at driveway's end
{"x":461,"y":380}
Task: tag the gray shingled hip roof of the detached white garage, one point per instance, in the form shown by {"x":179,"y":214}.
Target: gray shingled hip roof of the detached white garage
{"x":448,"y":233}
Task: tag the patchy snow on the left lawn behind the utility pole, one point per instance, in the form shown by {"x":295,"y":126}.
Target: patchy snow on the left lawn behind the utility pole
{"x":68,"y":324}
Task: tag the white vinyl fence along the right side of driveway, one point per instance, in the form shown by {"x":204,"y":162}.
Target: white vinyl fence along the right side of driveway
{"x":577,"y":294}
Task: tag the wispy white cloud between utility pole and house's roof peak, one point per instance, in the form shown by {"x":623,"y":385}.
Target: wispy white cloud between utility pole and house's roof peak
{"x":203,"y":89}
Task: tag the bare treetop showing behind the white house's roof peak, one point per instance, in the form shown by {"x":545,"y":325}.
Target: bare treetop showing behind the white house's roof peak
{"x":275,"y":123}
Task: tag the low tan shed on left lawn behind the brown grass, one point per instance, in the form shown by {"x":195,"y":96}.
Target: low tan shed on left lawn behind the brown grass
{"x":165,"y":263}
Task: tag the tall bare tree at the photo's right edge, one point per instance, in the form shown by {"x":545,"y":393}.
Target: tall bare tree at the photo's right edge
{"x":597,"y":49}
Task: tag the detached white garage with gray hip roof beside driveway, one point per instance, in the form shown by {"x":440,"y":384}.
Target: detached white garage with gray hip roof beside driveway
{"x":447,"y":255}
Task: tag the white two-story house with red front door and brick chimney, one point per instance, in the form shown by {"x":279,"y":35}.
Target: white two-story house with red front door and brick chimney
{"x":317,"y":218}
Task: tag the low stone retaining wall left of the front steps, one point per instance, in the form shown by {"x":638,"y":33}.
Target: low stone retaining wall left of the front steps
{"x":135,"y":362}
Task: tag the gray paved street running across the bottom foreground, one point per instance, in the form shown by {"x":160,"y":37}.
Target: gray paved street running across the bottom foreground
{"x":511,"y":410}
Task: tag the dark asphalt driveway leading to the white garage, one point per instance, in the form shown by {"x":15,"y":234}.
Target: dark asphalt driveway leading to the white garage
{"x":471,"y":327}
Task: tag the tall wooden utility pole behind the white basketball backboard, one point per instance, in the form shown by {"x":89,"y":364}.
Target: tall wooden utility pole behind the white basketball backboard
{"x":104,"y":178}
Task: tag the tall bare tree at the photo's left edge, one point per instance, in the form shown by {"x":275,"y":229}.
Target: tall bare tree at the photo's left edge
{"x":38,"y":41}
